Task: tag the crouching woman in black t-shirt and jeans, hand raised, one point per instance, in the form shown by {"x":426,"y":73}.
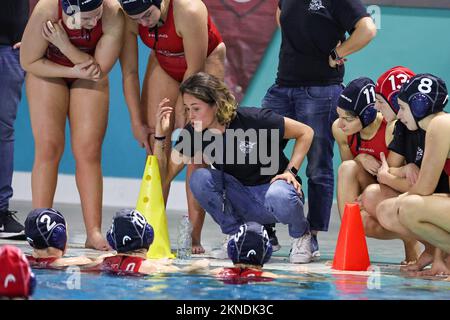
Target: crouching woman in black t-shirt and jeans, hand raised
{"x":252,"y":180}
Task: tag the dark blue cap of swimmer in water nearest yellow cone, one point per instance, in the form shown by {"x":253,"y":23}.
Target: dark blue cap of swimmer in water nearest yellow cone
{"x":129,"y":231}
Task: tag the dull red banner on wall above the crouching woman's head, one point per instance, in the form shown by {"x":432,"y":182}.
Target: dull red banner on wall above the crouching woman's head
{"x":246,"y":26}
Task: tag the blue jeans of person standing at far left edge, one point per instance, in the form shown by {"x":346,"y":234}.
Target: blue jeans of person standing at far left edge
{"x":11,"y":80}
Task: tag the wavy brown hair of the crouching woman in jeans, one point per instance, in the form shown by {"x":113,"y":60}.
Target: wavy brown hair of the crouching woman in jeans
{"x":212,"y":91}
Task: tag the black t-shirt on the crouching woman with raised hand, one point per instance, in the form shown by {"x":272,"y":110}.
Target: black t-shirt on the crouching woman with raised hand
{"x":253,"y":143}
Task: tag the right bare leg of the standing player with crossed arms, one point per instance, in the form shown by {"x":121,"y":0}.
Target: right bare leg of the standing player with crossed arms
{"x":88,"y":116}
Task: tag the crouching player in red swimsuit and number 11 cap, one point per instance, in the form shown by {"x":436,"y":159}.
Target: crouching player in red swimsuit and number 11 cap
{"x":362,"y":136}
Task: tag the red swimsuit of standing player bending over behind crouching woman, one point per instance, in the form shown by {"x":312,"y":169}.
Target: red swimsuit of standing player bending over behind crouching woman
{"x":169,"y":46}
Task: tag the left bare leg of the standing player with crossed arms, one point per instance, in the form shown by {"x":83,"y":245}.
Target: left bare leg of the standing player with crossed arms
{"x":48,"y":100}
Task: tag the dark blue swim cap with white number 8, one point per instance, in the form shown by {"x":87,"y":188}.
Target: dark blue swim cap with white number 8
{"x":425,"y":94}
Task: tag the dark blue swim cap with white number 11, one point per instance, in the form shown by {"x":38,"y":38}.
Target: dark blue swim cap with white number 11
{"x":359,"y":98}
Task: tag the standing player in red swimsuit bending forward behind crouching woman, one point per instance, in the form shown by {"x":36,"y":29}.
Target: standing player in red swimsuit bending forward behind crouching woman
{"x":184,"y":41}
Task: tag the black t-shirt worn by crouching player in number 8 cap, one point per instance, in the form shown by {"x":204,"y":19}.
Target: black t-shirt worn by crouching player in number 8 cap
{"x":411,"y":145}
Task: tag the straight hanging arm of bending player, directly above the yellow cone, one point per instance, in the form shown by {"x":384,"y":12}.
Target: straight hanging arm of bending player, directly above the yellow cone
{"x":130,"y":72}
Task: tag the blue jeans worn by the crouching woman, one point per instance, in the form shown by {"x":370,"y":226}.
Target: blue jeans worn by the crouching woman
{"x":265,"y":204}
